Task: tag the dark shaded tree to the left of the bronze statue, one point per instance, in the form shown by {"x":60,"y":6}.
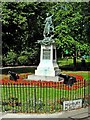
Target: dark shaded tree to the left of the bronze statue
{"x":22,"y":25}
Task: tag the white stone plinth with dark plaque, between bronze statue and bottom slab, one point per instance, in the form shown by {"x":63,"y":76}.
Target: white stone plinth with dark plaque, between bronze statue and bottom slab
{"x":48,"y":65}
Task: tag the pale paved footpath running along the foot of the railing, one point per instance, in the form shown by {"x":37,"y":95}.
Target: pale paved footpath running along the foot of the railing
{"x":82,"y":113}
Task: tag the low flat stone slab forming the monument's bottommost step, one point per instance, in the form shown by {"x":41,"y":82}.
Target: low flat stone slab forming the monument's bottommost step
{"x":44,"y":78}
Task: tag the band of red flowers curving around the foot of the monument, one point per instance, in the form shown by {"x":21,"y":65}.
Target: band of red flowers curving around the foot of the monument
{"x":59,"y":85}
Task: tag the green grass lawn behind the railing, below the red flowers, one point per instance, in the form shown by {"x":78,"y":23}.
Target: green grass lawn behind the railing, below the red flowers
{"x":29,"y":97}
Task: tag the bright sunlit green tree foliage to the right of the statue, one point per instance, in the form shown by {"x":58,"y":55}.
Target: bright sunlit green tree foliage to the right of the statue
{"x":70,"y":31}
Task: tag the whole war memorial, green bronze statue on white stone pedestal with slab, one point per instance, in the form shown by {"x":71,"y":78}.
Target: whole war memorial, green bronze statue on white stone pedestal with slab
{"x":48,"y":68}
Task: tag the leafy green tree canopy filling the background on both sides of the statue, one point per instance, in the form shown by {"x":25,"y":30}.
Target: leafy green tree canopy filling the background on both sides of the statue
{"x":23,"y":25}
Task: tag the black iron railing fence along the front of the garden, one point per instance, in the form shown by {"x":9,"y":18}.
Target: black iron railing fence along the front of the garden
{"x":39,"y":97}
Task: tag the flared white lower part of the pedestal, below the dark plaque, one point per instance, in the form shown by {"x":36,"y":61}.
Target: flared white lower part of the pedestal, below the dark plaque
{"x":47,"y":68}
